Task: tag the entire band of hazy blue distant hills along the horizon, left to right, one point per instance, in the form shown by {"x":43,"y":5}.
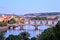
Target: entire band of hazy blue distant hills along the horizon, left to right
{"x":37,"y":14}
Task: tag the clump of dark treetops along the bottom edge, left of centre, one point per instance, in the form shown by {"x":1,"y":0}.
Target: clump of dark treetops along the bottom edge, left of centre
{"x":21,"y":36}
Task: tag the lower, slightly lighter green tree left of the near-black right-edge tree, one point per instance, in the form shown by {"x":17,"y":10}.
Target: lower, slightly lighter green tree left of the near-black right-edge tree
{"x":47,"y":35}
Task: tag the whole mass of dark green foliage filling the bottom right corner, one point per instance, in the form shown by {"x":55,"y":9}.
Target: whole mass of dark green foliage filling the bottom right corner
{"x":51,"y":33}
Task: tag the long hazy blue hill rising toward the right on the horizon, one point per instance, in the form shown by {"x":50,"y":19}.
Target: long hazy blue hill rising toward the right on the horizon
{"x":43,"y":14}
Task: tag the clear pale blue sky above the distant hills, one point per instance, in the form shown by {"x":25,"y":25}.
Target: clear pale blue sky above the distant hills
{"x":21,"y":7}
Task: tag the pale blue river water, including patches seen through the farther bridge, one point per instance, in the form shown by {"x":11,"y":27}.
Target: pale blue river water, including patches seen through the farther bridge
{"x":29,"y":29}
